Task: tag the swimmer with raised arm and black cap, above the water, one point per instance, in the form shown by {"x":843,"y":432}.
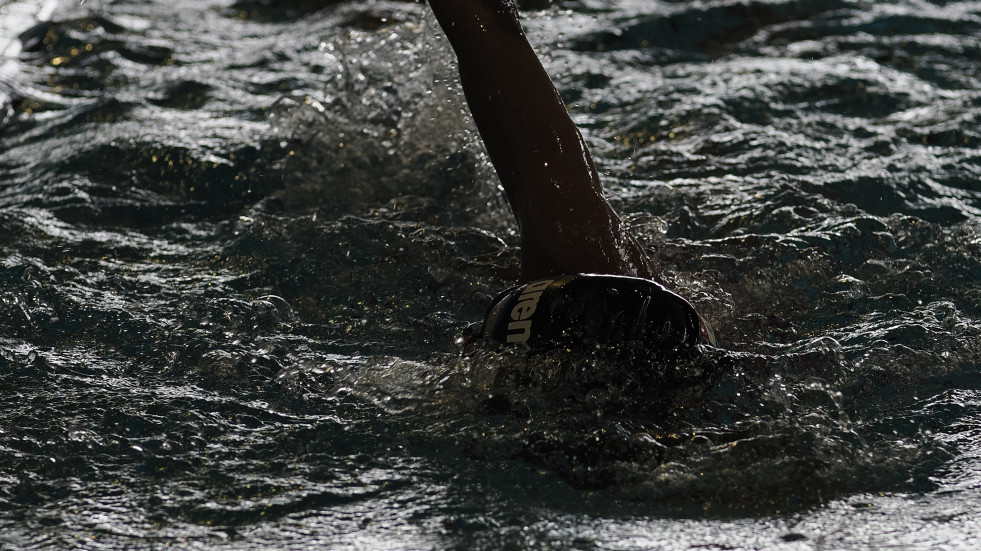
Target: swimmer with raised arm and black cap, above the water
{"x":586,"y":278}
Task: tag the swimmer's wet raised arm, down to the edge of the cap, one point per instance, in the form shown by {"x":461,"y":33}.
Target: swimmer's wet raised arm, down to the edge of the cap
{"x":566,"y":224}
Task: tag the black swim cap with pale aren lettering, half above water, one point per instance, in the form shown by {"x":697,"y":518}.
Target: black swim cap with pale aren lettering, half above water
{"x":591,"y":309}
